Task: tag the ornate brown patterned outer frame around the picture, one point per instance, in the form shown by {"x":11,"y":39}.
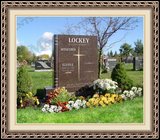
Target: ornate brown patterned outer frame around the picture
{"x":153,"y":6}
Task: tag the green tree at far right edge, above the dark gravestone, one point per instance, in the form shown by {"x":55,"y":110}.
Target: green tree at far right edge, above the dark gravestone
{"x":139,"y":48}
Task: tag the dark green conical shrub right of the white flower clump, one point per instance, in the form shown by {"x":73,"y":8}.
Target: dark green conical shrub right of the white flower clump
{"x":119,"y":75}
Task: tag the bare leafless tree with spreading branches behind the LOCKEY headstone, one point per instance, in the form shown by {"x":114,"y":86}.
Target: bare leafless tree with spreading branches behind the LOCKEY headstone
{"x":104,"y":28}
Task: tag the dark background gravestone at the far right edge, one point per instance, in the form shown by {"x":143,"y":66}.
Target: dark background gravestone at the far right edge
{"x":137,"y":63}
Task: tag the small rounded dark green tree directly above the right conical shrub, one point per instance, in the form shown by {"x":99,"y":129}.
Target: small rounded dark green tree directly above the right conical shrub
{"x":125,"y":50}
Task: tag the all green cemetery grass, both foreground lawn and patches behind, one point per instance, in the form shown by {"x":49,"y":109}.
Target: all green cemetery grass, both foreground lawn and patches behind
{"x":130,"y":111}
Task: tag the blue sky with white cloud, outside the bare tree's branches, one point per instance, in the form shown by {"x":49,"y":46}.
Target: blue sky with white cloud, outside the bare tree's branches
{"x":36,"y":33}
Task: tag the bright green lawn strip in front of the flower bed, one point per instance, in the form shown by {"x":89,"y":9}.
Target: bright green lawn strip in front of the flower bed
{"x":125,"y":112}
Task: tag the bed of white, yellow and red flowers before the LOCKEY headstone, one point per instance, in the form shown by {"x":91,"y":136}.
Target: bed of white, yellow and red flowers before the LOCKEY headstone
{"x":106,"y":94}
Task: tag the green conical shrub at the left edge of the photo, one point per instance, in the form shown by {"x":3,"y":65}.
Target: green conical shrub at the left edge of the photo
{"x":24,"y":82}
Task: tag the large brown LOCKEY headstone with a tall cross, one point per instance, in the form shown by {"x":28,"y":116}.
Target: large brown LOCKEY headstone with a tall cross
{"x":76,"y":61}
